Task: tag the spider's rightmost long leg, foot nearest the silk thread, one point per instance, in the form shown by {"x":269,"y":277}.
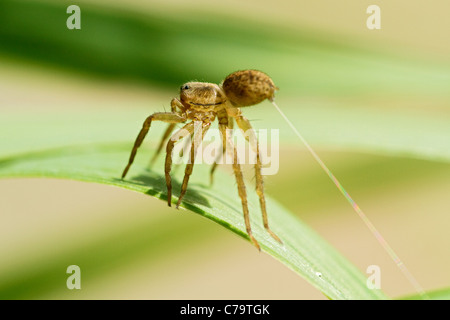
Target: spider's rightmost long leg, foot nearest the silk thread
{"x":250,"y":136}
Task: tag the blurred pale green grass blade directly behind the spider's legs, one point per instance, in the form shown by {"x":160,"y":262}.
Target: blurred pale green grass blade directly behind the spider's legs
{"x":421,"y":136}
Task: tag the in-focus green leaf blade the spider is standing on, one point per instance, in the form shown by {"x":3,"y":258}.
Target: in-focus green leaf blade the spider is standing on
{"x":303,"y":251}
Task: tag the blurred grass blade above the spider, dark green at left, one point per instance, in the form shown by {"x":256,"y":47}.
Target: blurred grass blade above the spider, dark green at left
{"x":172,"y":49}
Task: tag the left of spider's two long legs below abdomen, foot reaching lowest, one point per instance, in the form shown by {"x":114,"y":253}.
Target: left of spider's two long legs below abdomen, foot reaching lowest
{"x":240,"y":182}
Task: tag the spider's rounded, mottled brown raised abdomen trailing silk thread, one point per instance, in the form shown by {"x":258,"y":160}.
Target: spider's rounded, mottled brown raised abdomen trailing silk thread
{"x":248,"y":87}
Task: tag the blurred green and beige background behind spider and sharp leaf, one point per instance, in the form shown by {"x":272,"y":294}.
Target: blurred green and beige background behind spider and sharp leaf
{"x":348,"y":89}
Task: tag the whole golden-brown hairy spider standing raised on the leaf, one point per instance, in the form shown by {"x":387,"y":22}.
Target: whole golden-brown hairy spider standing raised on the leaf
{"x":202,"y":103}
